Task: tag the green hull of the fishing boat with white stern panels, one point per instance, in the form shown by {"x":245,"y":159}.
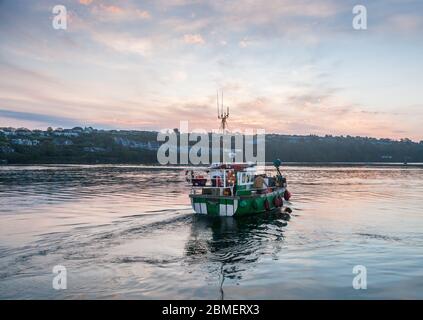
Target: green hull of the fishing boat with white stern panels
{"x":235,"y":206}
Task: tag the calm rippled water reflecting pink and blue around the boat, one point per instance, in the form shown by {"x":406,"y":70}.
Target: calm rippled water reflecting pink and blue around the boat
{"x":129,"y":232}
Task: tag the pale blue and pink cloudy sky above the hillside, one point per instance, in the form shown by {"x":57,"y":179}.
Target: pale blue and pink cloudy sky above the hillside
{"x":289,"y":67}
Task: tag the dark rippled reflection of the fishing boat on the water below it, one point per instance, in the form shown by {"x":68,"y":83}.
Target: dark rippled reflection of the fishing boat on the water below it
{"x":225,"y":247}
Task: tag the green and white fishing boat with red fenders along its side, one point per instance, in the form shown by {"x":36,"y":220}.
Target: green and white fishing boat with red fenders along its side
{"x":236,"y":189}
